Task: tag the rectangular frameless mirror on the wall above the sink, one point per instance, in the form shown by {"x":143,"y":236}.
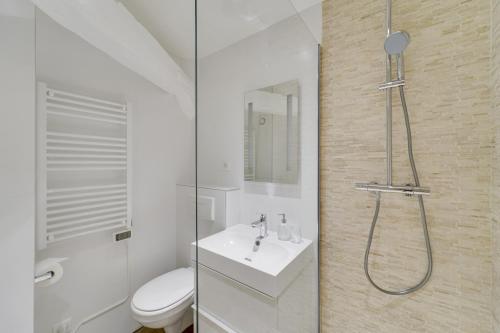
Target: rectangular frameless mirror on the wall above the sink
{"x":272,"y":136}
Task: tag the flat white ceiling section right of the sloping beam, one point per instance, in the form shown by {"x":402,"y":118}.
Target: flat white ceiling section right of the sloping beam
{"x":220,"y":22}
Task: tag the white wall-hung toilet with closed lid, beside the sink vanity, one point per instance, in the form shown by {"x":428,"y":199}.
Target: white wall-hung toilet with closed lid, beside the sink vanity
{"x":163,"y":301}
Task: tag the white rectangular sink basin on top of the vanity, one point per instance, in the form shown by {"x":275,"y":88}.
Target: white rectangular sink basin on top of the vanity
{"x":269,"y":270}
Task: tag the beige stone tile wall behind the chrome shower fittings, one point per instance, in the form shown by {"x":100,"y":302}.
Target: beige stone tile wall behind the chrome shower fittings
{"x":449,"y":97}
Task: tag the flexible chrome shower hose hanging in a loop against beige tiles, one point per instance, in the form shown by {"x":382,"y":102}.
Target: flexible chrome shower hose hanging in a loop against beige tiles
{"x":423,"y":218}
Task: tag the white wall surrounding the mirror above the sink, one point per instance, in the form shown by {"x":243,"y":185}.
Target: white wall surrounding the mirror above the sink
{"x":283,"y":52}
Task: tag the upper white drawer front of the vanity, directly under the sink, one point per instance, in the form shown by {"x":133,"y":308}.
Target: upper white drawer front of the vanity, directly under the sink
{"x":238,"y":306}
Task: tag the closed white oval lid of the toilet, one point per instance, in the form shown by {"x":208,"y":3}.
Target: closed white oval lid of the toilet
{"x":164,"y":290}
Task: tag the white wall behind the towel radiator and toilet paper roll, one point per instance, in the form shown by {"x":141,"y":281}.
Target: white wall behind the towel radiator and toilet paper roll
{"x":162,"y":136}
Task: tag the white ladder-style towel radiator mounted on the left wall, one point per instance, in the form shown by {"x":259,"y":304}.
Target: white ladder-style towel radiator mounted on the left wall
{"x":83,"y":171}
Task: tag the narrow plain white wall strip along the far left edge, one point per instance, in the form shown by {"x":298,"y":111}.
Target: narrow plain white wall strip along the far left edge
{"x":17,"y":166}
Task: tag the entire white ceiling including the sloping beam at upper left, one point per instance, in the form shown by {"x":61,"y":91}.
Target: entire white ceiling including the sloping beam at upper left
{"x":150,"y":37}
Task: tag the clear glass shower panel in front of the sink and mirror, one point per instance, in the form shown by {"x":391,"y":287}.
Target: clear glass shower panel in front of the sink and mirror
{"x":257,"y":167}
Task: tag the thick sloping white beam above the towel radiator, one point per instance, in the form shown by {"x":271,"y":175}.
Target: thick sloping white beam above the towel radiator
{"x":108,"y":26}
